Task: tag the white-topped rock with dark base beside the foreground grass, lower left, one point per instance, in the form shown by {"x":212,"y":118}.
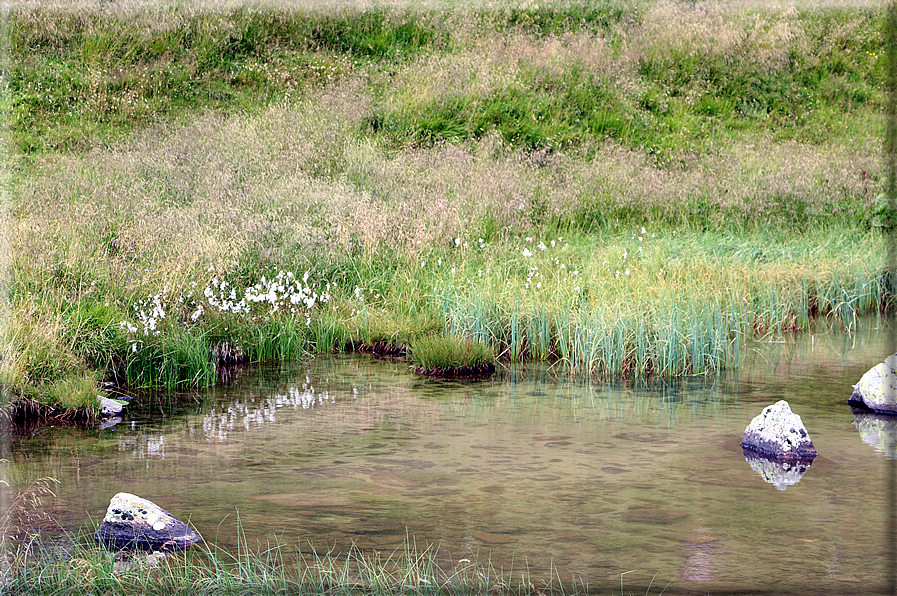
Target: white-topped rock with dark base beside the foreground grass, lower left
{"x":133,"y":523}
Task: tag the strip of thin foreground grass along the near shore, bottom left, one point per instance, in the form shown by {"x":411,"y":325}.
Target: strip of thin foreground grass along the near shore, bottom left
{"x":208,"y":569}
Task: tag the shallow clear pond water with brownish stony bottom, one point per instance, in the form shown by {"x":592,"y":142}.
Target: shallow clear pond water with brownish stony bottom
{"x":529,"y":468}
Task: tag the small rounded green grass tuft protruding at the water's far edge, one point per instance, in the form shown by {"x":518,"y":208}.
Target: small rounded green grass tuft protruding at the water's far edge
{"x":451,"y":356}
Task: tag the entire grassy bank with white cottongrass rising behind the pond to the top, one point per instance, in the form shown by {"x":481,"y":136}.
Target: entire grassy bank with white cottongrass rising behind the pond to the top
{"x":627,"y":189}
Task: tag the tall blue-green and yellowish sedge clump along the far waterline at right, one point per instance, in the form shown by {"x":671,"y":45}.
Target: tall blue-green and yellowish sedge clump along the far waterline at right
{"x":632,"y":316}
